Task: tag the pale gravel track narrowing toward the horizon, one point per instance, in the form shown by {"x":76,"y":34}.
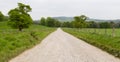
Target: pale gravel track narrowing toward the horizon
{"x":62,"y":47}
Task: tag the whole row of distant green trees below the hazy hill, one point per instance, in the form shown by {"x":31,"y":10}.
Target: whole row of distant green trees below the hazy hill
{"x":78,"y":22}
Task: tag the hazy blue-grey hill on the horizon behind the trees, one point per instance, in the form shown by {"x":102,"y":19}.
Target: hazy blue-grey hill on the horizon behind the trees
{"x":63,"y":19}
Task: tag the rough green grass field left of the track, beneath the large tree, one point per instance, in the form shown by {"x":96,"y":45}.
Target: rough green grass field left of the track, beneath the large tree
{"x":13,"y":42}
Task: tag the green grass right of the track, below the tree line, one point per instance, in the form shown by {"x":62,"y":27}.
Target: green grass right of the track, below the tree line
{"x":104,"y":41}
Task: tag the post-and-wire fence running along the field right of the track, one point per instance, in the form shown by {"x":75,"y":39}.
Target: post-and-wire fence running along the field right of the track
{"x":107,"y":32}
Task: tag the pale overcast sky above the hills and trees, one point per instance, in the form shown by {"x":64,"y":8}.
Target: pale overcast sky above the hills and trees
{"x":98,"y":9}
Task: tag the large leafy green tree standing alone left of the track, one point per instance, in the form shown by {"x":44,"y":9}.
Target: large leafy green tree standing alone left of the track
{"x":19,"y":17}
